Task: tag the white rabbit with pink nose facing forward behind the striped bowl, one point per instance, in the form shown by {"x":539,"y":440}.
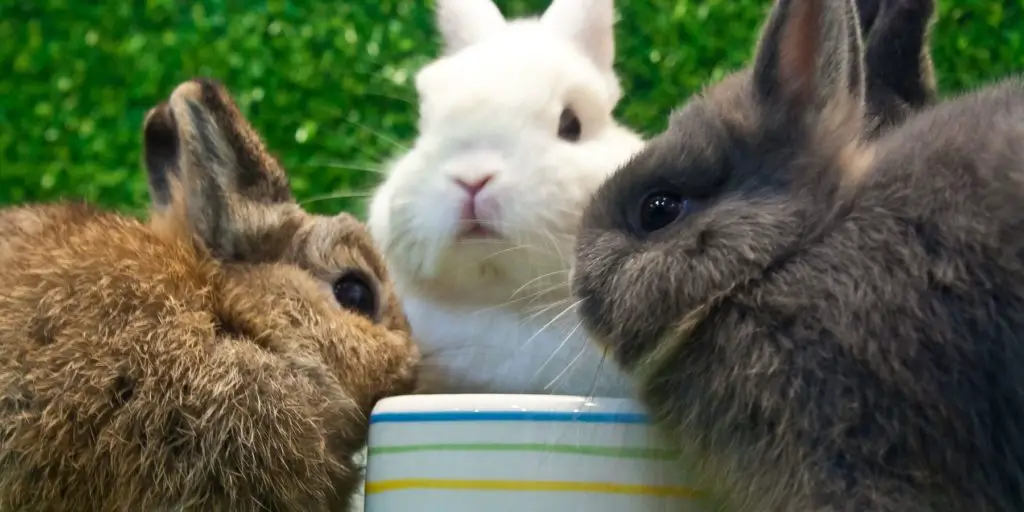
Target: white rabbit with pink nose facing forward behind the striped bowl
{"x":479,"y":220}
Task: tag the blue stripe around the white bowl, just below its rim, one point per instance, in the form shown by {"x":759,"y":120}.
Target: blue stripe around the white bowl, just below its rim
{"x":457,"y":416}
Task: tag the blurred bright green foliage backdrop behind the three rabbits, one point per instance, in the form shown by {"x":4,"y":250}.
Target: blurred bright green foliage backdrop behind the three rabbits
{"x":329,"y":83}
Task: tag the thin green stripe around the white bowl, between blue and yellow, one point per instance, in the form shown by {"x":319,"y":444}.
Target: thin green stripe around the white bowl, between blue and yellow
{"x":617,"y":453}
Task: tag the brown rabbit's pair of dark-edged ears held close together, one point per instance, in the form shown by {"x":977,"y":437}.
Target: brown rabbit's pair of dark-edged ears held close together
{"x":204,"y":159}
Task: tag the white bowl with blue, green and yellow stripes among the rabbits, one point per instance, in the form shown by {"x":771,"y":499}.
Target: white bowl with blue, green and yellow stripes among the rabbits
{"x":499,"y":453}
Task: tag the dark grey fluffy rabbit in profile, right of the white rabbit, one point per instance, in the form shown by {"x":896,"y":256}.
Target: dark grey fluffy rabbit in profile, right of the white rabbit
{"x":830,"y":324}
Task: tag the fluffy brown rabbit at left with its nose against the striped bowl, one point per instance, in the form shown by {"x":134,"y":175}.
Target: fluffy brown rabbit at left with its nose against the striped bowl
{"x":224,"y":356}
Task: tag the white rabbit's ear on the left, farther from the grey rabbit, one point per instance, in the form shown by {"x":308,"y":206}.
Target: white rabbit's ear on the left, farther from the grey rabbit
{"x":463,"y":23}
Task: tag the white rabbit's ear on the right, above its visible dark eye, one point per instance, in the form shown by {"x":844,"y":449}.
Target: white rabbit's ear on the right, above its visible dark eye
{"x":587,"y":23}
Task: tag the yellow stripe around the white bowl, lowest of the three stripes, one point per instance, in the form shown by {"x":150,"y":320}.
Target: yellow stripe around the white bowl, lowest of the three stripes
{"x":520,"y":486}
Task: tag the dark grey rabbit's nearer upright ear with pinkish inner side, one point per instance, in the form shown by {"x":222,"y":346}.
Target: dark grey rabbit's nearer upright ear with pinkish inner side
{"x":810,"y":61}
